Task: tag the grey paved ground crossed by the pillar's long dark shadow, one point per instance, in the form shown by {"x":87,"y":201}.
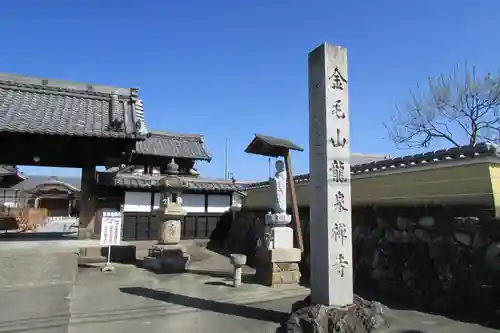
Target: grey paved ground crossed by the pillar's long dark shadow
{"x":131,"y":299}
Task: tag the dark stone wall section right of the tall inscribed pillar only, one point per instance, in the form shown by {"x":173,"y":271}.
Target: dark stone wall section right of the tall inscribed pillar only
{"x":430,"y":262}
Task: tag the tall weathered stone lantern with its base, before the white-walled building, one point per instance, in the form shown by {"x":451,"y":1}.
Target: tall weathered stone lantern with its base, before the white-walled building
{"x":168,"y":256}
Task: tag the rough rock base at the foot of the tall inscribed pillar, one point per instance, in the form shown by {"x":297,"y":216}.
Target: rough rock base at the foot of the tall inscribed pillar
{"x":360,"y":317}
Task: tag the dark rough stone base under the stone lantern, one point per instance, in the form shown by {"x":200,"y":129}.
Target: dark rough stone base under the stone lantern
{"x":167,"y":259}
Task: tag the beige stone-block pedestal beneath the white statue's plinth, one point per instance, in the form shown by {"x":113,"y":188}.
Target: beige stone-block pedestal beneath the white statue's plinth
{"x":278,"y":266}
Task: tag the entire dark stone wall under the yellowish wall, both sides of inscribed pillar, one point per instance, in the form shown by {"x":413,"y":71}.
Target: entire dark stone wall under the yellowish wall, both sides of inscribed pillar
{"x":431,"y":257}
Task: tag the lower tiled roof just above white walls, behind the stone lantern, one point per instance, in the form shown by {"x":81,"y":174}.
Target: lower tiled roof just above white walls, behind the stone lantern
{"x":149,"y":181}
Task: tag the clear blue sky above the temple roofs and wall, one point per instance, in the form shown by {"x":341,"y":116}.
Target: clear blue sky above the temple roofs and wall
{"x":235,"y":68}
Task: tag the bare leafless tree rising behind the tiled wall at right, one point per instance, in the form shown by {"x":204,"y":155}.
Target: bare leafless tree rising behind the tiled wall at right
{"x":461,"y":109}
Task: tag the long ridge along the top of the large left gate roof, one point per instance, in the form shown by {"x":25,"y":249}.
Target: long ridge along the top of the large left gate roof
{"x":33,"y":82}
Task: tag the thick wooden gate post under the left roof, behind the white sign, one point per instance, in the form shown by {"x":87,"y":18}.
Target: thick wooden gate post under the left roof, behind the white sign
{"x":88,"y":202}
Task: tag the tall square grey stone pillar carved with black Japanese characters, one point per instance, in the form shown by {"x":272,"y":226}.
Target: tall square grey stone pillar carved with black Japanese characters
{"x":330,"y":183}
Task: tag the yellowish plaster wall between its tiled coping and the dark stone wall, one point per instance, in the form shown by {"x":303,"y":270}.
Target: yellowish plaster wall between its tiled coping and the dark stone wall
{"x":450,"y":185}
